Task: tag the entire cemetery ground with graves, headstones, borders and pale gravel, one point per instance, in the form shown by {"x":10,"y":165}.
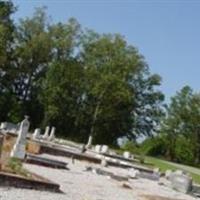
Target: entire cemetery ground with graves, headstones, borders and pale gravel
{"x":42,"y":165}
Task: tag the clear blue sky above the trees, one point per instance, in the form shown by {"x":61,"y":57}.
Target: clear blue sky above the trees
{"x":166,"y":32}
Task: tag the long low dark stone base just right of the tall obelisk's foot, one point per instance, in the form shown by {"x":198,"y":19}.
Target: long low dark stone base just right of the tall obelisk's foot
{"x":38,"y":160}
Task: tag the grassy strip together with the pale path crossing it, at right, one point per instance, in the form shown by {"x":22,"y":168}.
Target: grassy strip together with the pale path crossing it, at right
{"x":164,"y":165}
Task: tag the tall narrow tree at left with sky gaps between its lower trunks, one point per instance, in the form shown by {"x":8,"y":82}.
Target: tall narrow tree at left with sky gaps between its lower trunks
{"x":33,"y":51}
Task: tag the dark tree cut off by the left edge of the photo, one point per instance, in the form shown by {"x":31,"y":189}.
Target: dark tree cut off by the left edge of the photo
{"x":7,"y":70}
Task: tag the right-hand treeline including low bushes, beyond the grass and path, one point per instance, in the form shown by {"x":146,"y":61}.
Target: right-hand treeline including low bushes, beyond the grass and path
{"x":179,"y":136}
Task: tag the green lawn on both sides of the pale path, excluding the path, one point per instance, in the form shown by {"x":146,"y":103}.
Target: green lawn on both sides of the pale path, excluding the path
{"x":164,"y":166}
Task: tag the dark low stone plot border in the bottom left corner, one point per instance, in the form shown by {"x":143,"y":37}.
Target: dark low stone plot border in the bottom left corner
{"x":12,"y":180}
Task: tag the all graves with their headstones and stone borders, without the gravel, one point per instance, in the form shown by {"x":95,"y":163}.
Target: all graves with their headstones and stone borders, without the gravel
{"x":18,"y":144}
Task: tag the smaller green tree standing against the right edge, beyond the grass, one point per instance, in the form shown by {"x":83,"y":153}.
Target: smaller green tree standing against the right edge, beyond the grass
{"x":182,"y":123}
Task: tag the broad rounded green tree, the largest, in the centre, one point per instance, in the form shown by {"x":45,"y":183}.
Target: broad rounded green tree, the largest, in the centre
{"x":119,"y":88}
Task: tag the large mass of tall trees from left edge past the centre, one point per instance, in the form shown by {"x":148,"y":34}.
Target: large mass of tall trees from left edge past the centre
{"x":82,"y":82}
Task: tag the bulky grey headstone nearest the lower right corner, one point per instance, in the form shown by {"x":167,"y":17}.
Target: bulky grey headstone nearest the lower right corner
{"x":181,"y":183}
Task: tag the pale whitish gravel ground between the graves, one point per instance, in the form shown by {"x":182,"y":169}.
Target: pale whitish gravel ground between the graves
{"x":78,"y":184}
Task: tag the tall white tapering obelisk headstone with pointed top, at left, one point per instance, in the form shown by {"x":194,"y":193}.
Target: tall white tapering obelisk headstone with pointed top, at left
{"x":18,"y":150}
